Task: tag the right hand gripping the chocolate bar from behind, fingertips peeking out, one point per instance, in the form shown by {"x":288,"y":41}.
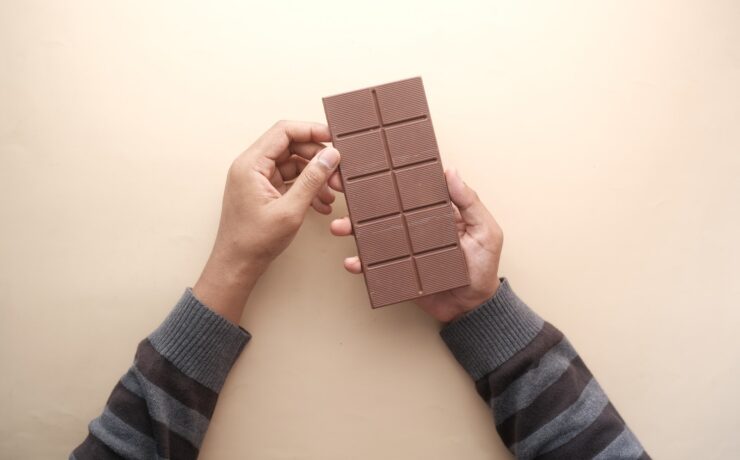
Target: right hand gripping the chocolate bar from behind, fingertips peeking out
{"x":481,"y":240}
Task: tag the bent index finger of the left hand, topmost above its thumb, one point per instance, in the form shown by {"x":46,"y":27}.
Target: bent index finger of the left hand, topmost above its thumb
{"x":274,"y":143}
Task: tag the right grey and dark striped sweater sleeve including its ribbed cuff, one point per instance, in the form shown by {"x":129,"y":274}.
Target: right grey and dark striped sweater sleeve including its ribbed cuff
{"x":545,"y":402}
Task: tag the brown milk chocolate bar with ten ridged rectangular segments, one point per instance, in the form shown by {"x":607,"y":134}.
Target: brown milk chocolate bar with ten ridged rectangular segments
{"x":396,"y":192}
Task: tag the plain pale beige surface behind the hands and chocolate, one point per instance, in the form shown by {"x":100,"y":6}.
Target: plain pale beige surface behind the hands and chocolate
{"x":605,"y":137}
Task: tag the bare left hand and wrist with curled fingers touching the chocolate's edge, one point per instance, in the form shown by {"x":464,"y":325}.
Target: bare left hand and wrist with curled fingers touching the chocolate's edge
{"x":269,"y":189}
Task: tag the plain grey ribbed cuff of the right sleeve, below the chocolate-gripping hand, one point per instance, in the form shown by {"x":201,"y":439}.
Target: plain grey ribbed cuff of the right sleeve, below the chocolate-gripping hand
{"x":484,"y":338}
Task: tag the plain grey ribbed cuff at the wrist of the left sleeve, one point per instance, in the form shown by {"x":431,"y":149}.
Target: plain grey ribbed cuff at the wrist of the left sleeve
{"x":200,"y":342}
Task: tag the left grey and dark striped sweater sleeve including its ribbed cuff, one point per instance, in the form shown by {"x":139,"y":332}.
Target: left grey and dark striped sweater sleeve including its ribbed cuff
{"x":162,"y":406}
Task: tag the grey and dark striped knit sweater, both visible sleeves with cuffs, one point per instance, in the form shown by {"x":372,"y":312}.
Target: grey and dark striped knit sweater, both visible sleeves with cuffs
{"x":545,"y":402}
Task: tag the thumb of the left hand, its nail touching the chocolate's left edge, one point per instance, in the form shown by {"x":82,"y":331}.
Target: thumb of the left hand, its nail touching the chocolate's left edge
{"x":313,"y":177}
